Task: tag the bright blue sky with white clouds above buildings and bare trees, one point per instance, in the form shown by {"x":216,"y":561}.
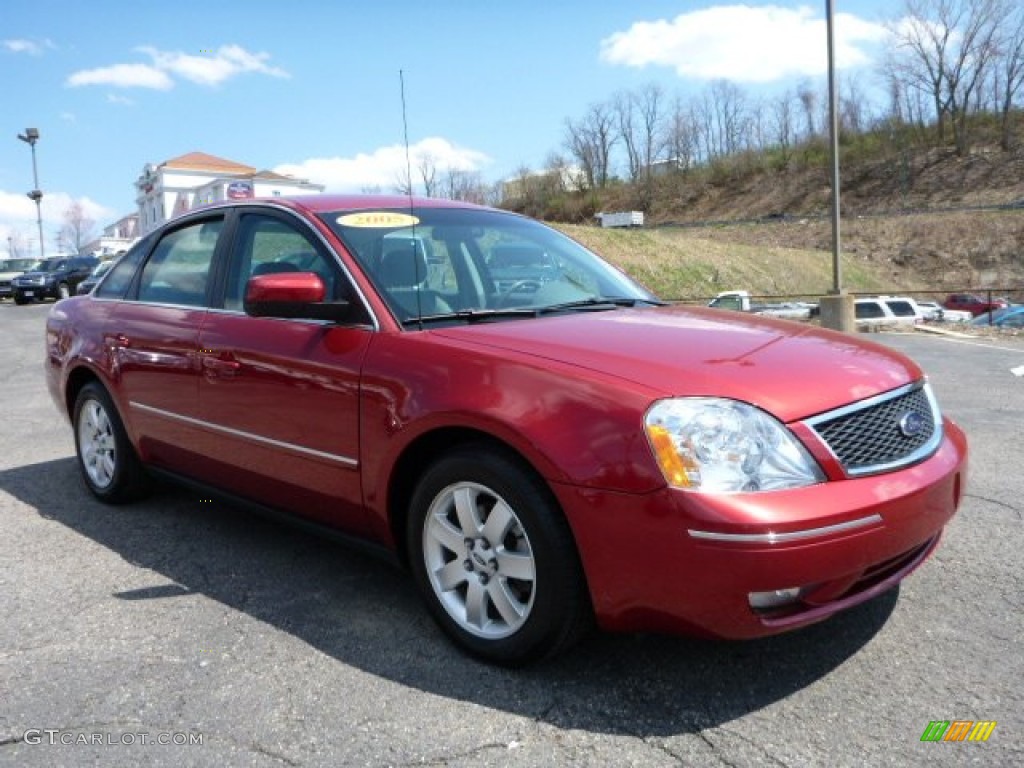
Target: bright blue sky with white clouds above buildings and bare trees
{"x":312,"y":88}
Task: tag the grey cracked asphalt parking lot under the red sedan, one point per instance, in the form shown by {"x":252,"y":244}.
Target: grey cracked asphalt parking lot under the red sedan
{"x":183,"y":621}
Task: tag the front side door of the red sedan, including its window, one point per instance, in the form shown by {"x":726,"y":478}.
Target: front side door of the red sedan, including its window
{"x":280,"y":398}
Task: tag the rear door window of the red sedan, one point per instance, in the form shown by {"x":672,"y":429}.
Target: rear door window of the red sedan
{"x":179,"y":271}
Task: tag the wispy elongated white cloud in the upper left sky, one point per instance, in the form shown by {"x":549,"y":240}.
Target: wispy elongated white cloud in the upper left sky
{"x":208,"y":69}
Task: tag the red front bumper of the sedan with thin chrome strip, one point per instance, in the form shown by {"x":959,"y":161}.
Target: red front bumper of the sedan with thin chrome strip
{"x":673,"y":562}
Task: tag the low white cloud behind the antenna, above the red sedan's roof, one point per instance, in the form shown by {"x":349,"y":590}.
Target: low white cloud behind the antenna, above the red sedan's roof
{"x":385,"y":167}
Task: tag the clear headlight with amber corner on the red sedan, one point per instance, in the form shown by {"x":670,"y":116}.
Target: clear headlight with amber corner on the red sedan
{"x":719,"y":446}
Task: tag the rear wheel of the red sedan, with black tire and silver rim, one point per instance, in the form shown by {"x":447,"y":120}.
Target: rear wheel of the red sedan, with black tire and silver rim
{"x":108,"y":461}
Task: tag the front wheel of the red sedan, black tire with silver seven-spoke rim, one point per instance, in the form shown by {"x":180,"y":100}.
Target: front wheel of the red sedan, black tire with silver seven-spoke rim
{"x":522,"y":574}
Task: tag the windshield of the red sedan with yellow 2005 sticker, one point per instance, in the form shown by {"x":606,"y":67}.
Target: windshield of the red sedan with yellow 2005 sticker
{"x":465,"y":265}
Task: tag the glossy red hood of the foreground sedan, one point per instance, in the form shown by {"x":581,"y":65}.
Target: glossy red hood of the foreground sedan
{"x":791,"y":370}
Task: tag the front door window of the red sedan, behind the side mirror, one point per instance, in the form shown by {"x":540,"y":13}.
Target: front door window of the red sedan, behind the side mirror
{"x":267,"y":245}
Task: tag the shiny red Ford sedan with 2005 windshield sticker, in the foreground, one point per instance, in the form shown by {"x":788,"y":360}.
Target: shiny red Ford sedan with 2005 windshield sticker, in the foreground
{"x":543,"y":453}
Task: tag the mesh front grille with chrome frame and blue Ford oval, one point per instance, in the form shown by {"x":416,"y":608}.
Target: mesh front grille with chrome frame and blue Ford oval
{"x":883,"y":434}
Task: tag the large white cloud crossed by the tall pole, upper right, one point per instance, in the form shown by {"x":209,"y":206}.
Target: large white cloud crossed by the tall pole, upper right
{"x":743,"y":44}
